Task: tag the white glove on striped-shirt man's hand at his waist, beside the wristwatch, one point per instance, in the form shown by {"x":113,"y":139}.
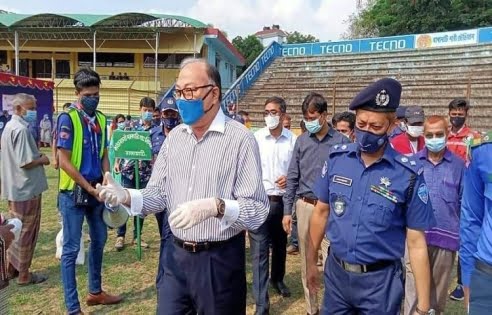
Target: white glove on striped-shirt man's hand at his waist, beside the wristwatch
{"x":191,"y":213}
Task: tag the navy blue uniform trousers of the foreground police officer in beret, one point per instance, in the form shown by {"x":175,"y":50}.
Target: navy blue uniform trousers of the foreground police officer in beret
{"x":348,"y":293}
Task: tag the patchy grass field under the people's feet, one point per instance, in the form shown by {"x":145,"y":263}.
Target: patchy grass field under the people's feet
{"x":124,"y":274}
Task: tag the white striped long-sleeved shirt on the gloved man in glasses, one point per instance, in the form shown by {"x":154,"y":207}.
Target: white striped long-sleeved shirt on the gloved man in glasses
{"x":224,"y":163}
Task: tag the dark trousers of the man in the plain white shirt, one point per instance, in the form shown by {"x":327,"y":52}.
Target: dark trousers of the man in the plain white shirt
{"x":271,"y":232}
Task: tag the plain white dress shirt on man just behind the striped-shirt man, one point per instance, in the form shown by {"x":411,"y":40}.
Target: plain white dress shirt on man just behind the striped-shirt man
{"x":275,"y":157}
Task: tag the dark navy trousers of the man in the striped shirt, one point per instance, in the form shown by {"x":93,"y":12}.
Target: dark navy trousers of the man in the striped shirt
{"x":210,"y":282}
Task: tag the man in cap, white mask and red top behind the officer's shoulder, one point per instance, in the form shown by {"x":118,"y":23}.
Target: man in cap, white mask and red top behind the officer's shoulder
{"x":411,"y":141}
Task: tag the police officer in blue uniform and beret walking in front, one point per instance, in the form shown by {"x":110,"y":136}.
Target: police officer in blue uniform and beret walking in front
{"x":375,"y":199}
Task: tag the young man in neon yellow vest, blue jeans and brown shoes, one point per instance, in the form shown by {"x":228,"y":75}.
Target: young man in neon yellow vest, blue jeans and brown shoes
{"x":83,"y":158}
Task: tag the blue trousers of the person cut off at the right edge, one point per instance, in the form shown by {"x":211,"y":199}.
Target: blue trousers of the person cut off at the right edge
{"x":481,"y":290}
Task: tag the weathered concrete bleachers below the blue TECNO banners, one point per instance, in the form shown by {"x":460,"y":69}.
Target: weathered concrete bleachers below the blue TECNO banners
{"x":430,"y":78}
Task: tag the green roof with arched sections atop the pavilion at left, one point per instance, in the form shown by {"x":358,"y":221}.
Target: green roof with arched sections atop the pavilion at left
{"x":130,"y":19}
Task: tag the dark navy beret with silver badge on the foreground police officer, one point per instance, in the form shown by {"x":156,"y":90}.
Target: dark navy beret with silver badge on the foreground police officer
{"x":381,"y":96}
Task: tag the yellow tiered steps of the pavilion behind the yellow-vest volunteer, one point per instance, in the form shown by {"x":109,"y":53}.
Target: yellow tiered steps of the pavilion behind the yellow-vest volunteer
{"x":116,"y":96}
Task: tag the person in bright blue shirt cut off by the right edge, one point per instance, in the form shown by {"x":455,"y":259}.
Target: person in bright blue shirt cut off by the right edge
{"x":476,"y":227}
